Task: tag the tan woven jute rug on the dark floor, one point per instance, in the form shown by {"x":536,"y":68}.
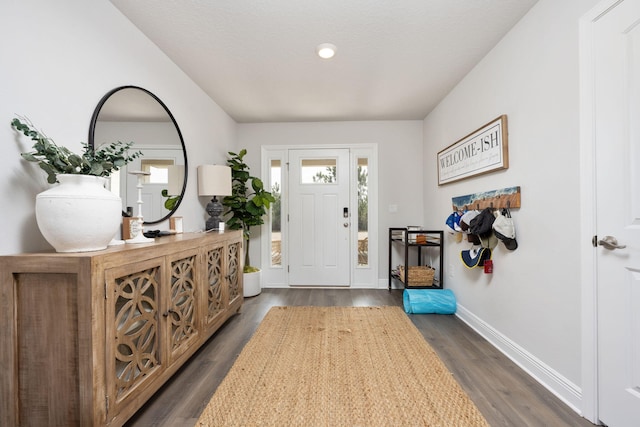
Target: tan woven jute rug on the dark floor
{"x":339,"y":366}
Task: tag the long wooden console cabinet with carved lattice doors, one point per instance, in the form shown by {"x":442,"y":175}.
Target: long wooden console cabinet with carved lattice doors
{"x":87,"y":338}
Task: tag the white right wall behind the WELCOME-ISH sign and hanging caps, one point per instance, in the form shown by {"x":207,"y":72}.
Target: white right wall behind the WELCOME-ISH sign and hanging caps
{"x":530,"y":305}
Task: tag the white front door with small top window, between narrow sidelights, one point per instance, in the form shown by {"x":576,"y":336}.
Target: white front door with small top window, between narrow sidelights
{"x":319,"y":217}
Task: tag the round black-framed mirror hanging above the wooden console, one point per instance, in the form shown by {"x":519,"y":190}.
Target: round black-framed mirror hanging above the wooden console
{"x":132,"y":113}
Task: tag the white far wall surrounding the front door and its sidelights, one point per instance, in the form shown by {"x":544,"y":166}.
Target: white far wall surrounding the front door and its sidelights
{"x":399,"y":159}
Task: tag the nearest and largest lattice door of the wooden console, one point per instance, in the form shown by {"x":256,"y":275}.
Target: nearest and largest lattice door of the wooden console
{"x":133,"y":329}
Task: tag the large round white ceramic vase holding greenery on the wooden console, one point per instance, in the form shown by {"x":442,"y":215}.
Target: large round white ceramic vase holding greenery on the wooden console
{"x":79,"y":214}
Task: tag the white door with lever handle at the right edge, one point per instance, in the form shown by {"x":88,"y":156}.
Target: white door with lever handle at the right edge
{"x":617,"y":135}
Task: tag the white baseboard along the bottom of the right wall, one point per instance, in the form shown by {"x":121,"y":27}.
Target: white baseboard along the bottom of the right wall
{"x":560,"y":386}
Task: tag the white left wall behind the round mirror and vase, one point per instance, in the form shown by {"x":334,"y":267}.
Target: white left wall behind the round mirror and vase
{"x":58,"y":59}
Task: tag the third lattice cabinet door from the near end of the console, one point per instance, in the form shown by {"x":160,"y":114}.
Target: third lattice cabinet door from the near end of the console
{"x":217,"y":299}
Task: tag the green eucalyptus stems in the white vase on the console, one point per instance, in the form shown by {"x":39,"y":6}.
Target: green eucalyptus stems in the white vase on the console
{"x":54,"y":159}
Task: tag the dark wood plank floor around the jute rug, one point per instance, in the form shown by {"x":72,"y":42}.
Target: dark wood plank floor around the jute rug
{"x":503,"y":392}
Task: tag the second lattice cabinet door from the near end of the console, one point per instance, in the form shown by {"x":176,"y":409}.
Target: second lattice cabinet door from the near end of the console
{"x":181,"y":314}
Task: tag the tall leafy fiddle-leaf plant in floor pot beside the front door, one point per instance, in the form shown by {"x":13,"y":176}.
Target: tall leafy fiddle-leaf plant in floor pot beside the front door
{"x":248,"y":202}
